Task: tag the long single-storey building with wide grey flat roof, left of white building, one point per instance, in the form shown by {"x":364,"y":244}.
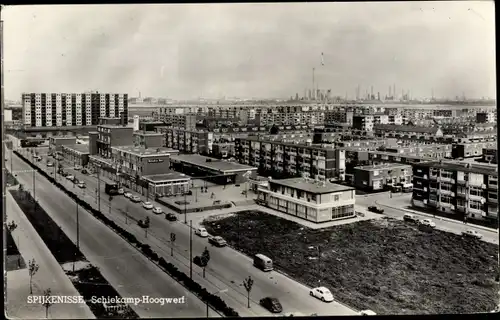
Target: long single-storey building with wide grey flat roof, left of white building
{"x":216,"y":170}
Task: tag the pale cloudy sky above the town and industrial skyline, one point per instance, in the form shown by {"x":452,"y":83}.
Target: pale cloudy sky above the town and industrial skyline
{"x":183,"y":51}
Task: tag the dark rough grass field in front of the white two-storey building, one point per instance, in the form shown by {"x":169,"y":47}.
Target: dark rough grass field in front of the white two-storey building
{"x":384,"y":265}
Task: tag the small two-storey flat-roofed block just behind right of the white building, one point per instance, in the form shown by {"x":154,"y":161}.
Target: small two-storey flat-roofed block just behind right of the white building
{"x":382,"y":176}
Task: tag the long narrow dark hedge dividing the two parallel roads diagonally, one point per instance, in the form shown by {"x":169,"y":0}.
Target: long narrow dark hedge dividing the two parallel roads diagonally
{"x":213,"y":300}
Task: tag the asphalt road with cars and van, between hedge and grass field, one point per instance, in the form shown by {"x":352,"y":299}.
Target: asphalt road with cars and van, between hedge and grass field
{"x":227,"y":267}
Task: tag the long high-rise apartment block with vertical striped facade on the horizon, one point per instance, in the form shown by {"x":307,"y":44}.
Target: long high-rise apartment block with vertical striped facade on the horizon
{"x":71,"y":109}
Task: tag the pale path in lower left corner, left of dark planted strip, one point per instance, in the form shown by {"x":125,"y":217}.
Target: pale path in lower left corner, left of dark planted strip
{"x":50,"y":275}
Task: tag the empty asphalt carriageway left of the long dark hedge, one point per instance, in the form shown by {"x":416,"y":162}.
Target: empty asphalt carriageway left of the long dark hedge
{"x":128,"y":270}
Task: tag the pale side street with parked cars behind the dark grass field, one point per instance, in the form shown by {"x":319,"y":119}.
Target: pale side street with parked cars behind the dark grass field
{"x":402,"y":201}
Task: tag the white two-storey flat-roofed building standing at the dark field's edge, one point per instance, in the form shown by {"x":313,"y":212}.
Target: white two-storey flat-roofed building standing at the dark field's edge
{"x":312,"y":200}
